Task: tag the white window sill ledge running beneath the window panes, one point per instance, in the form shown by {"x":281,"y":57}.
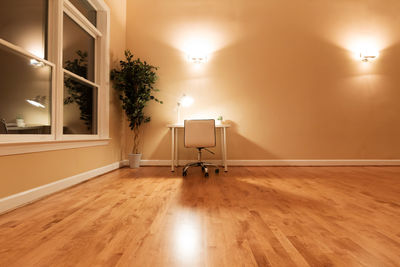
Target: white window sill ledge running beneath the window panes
{"x":13,"y":148}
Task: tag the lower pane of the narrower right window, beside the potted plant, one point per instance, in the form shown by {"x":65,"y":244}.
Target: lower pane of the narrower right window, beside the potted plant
{"x":80,"y":107}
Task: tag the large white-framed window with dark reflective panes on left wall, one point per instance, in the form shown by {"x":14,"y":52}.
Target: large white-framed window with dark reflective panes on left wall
{"x":54,"y":74}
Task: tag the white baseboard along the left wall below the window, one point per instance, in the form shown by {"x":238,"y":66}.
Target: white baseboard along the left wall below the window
{"x":29,"y":196}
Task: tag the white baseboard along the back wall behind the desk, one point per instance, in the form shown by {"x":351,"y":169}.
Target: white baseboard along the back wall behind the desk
{"x":334,"y":162}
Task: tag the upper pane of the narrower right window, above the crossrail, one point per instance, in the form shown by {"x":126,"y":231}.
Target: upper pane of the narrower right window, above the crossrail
{"x":78,"y":52}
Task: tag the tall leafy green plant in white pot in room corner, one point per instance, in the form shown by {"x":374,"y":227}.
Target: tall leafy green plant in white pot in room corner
{"x":135,"y":81}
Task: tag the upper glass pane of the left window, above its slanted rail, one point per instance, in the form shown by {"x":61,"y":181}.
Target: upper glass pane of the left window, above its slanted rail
{"x":24,"y":23}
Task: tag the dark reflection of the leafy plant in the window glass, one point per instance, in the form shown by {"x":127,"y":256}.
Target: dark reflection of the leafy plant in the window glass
{"x":78,"y":92}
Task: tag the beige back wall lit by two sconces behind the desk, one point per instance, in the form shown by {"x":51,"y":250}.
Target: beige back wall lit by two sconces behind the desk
{"x":282,"y":71}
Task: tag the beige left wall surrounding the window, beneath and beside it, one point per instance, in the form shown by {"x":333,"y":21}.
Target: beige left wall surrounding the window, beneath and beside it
{"x":23,"y":172}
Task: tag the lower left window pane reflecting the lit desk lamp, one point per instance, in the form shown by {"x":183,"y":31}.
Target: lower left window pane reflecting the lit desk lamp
{"x":25,"y":94}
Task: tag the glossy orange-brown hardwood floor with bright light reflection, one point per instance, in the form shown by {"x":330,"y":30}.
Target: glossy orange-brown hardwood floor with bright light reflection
{"x":250,"y":216}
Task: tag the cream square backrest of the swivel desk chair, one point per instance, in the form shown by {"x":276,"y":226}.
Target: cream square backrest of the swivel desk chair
{"x":199,"y":133}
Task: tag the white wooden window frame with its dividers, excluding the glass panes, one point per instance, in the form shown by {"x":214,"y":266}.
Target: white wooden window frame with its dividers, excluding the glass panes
{"x":27,"y":143}
